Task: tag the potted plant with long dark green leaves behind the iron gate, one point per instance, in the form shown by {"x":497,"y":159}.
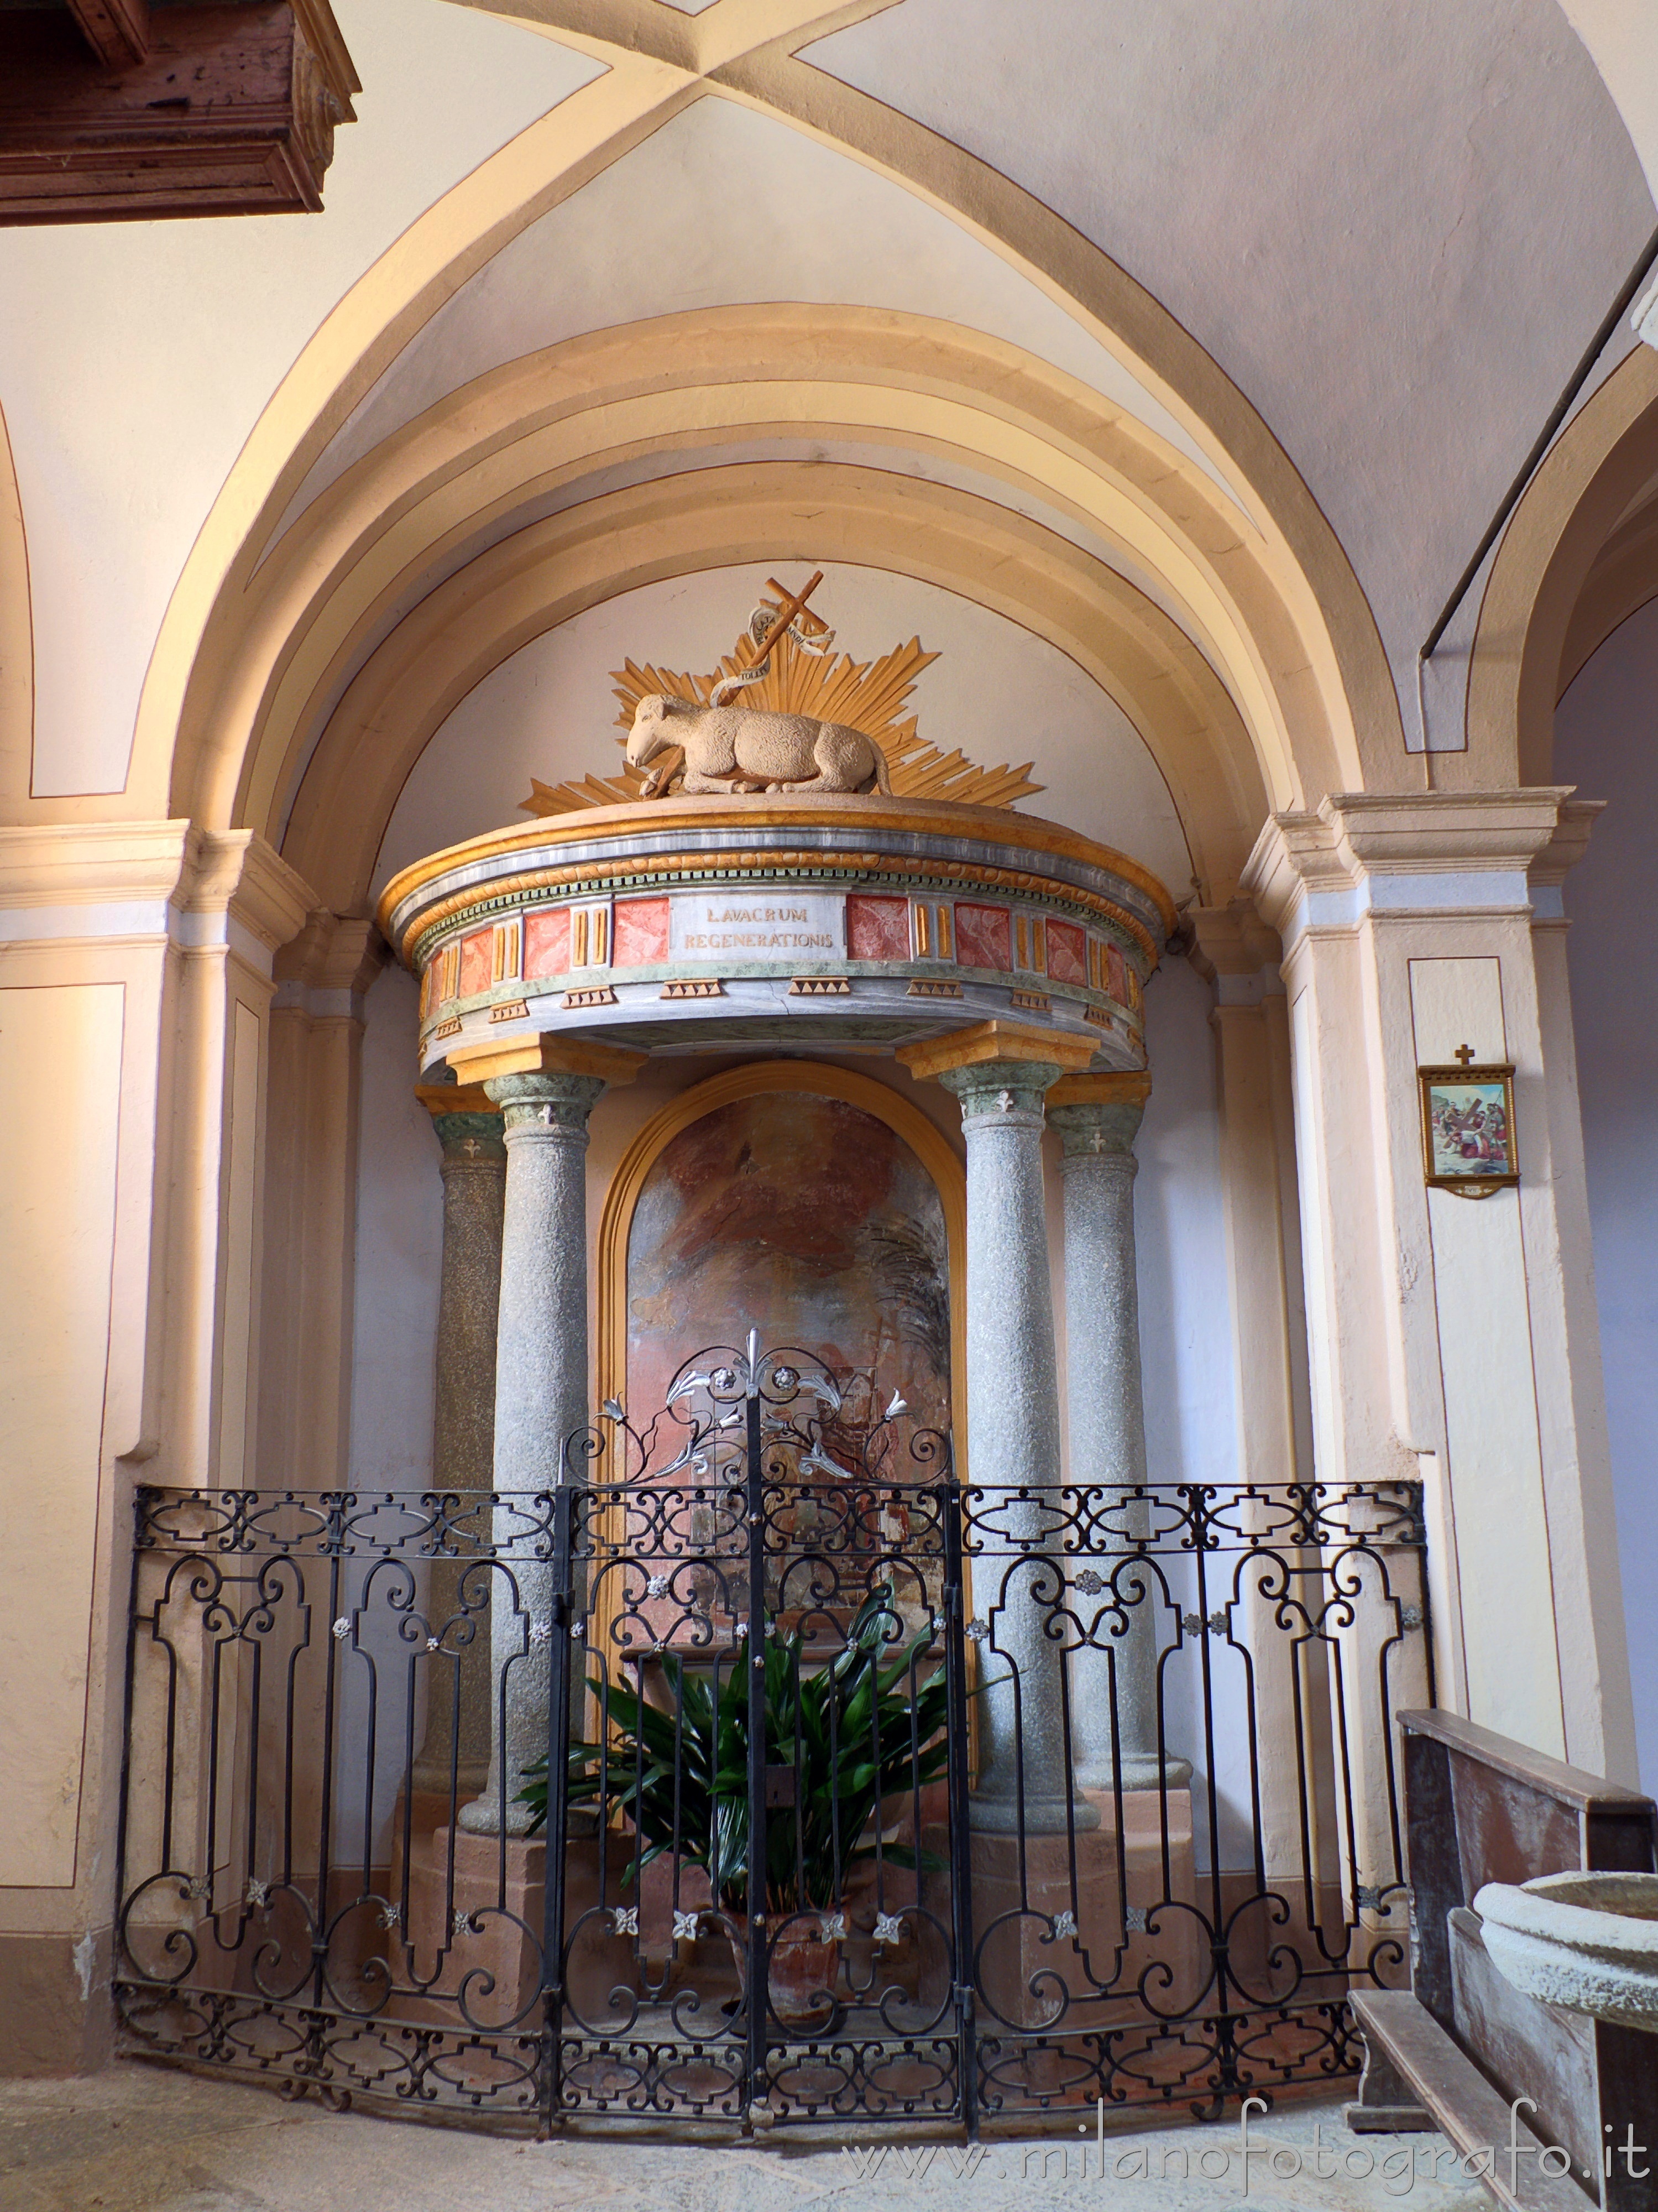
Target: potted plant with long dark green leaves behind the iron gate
{"x":854,"y":1733}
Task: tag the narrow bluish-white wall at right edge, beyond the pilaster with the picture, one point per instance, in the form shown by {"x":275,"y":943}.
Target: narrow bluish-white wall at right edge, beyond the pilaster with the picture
{"x":1606,"y":742}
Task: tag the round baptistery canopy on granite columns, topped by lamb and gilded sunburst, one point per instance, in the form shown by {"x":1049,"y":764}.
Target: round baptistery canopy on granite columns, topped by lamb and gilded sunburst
{"x":784,"y":868}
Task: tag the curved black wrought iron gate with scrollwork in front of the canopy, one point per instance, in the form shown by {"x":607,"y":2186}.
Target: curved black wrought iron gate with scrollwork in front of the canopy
{"x":801,"y":1707}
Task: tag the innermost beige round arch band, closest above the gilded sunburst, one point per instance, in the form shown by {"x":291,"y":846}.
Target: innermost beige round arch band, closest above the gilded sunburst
{"x":728,"y":517}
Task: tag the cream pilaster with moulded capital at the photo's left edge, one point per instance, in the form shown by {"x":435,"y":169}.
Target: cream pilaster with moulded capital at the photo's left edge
{"x":140,"y":957}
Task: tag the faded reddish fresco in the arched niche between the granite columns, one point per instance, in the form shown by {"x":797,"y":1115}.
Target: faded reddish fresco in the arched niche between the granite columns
{"x":815,"y":1224}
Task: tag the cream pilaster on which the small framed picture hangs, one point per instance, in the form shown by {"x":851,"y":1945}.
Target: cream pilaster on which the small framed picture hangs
{"x":1454,"y":1339}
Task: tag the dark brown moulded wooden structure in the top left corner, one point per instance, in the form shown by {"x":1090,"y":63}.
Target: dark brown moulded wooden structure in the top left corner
{"x":229,"y":112}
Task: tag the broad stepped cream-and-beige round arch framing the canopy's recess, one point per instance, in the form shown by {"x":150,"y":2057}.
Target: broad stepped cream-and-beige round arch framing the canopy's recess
{"x":423,"y":528}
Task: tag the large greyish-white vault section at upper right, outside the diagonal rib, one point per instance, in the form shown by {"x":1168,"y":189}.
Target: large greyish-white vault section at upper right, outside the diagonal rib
{"x":1392,"y":222}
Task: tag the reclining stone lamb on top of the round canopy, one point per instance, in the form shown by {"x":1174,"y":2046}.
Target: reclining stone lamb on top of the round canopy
{"x":739,"y":749}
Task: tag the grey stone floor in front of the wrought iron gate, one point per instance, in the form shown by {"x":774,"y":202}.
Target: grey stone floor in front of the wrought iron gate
{"x":145,"y":2140}
